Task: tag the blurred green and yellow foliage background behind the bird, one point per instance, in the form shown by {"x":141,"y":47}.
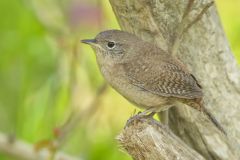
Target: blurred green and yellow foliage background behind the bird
{"x":46,"y":73}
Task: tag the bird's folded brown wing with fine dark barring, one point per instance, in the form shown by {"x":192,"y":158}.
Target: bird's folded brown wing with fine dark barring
{"x":165,"y":78}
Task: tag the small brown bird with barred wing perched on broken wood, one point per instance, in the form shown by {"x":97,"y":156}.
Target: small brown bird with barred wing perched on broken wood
{"x":145,"y":74}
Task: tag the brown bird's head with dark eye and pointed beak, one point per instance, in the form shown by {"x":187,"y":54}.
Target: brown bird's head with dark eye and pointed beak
{"x":113,"y":46}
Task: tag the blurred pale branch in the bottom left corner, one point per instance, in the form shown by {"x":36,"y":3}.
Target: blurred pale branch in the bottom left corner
{"x":22,"y":150}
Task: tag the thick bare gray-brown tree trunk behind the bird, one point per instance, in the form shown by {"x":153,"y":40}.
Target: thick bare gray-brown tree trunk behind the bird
{"x":205,"y":50}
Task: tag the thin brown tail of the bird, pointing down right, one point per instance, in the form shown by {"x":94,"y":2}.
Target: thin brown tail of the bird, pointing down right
{"x":198,"y":104}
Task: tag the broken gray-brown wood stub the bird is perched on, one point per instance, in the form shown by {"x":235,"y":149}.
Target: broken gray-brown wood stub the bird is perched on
{"x":147,"y":139}
